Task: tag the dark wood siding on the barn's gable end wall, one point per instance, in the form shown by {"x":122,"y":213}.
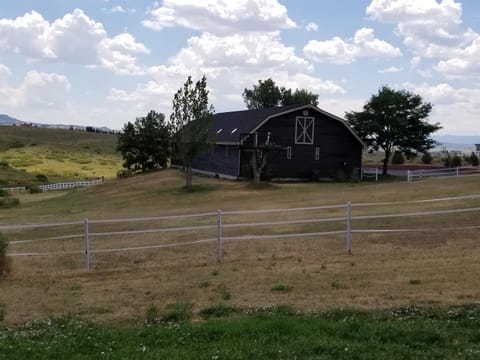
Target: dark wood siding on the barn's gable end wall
{"x":339,"y":150}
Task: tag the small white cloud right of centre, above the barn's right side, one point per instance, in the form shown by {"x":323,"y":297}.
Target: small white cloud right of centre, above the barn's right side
{"x":339,"y":51}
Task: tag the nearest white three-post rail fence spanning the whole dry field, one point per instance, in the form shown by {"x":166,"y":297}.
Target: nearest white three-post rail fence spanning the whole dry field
{"x":216,"y":224}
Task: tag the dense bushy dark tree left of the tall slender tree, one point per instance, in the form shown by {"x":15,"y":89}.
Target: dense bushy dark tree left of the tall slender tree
{"x":145,"y":144}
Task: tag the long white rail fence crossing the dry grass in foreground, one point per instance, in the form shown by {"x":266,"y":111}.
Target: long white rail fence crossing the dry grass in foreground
{"x":221,"y":227}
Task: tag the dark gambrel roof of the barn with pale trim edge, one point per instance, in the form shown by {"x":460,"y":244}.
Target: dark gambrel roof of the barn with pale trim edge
{"x":229,"y":125}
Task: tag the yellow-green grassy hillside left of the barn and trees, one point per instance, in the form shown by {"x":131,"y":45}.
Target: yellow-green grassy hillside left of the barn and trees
{"x":57,"y":153}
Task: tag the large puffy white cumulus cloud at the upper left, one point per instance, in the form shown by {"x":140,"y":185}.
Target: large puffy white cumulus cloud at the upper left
{"x":75,"y":38}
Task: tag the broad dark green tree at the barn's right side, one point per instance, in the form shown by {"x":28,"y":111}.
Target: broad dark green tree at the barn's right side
{"x":394,"y":120}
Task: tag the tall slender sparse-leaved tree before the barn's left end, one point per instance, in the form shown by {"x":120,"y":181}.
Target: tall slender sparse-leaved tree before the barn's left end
{"x":191,"y":120}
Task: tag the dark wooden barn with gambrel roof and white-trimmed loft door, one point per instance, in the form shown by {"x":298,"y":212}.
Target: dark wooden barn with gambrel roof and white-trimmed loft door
{"x":310,"y":143}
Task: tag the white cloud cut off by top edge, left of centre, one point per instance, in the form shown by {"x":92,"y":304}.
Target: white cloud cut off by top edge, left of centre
{"x":220,"y":16}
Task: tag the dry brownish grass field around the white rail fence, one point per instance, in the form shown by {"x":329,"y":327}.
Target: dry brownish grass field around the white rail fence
{"x":437,"y":267}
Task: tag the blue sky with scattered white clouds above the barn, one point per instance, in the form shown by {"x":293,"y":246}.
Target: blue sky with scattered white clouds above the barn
{"x":107,"y":62}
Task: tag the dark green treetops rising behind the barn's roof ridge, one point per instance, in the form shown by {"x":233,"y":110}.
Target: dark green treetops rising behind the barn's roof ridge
{"x":268,"y":94}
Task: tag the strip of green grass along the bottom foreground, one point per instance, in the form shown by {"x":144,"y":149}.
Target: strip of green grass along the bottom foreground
{"x":407,"y":333}
